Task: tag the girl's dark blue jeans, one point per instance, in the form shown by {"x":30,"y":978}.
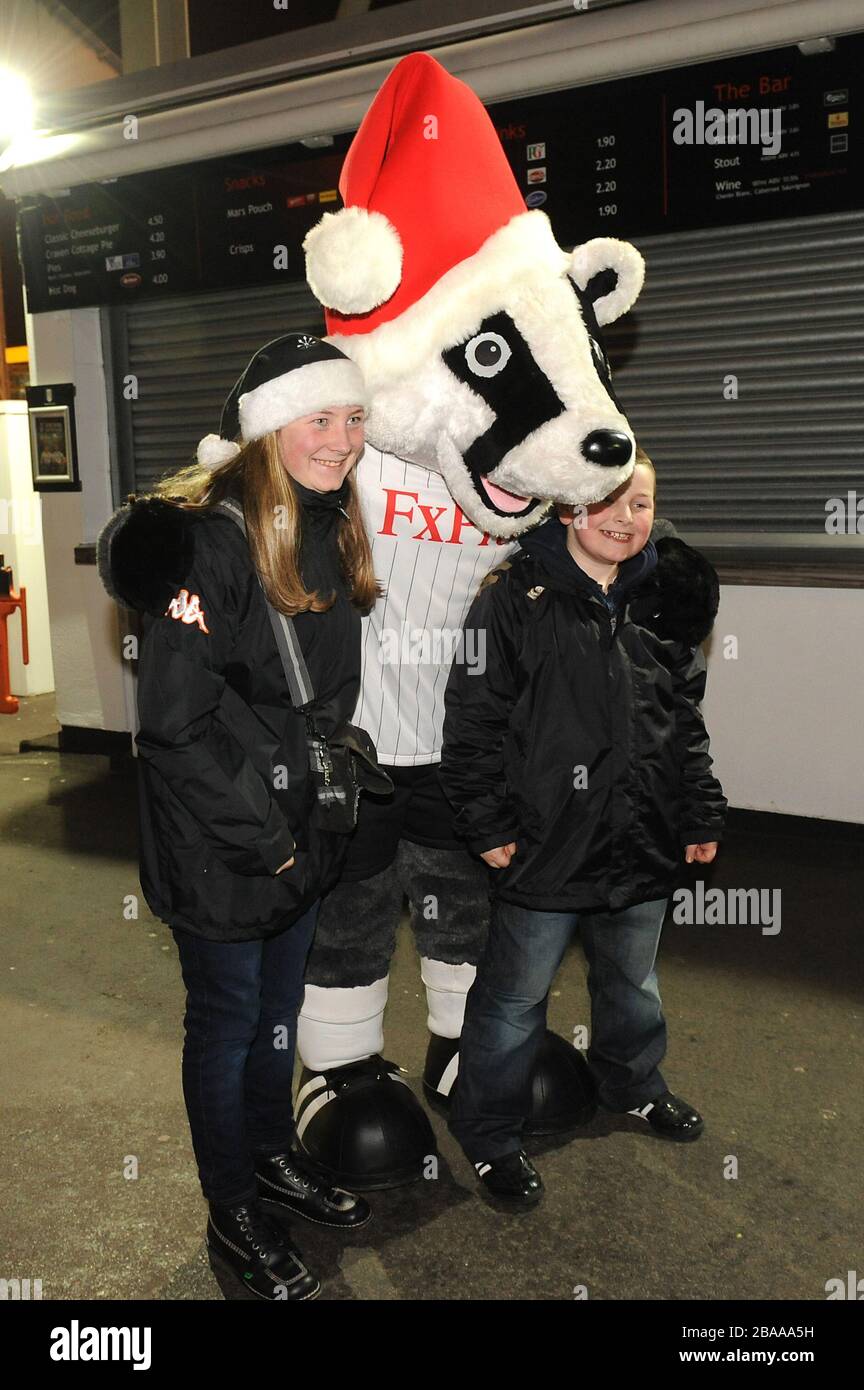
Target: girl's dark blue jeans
{"x":242,"y":1004}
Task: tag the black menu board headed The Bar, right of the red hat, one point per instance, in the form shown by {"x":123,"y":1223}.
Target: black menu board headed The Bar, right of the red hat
{"x":719,"y":144}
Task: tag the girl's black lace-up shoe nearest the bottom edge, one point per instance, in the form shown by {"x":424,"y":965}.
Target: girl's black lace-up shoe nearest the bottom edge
{"x":252,"y":1256}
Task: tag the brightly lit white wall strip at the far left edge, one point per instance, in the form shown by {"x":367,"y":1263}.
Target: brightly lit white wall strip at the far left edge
{"x":22,"y":546}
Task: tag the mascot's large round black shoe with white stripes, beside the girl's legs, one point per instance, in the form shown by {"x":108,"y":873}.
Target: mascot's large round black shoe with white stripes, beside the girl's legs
{"x":362,"y":1127}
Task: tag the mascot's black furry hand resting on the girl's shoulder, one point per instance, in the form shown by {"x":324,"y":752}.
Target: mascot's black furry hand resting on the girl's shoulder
{"x":145,"y":553}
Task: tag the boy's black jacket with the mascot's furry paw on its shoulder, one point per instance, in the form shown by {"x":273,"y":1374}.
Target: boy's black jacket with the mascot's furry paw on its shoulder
{"x":579,"y":680}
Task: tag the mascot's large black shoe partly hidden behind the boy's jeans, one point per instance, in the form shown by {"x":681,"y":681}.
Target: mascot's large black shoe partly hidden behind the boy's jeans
{"x":563,"y":1093}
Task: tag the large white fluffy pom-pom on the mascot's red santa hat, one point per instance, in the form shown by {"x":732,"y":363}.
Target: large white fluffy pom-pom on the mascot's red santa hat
{"x":354,"y":261}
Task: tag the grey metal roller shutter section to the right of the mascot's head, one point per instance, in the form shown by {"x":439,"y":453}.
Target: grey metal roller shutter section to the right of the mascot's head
{"x":779,"y":306}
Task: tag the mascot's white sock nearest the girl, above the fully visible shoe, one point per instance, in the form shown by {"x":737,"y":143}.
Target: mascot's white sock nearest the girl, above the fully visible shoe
{"x":340,"y":1027}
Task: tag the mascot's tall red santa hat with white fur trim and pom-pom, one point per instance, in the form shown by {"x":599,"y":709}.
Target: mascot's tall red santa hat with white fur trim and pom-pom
{"x":433,"y":229}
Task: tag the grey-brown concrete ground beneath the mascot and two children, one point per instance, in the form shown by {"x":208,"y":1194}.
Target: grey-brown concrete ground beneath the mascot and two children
{"x":765,"y":1038}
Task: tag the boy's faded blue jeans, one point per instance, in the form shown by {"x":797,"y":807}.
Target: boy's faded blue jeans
{"x":506,"y":1017}
